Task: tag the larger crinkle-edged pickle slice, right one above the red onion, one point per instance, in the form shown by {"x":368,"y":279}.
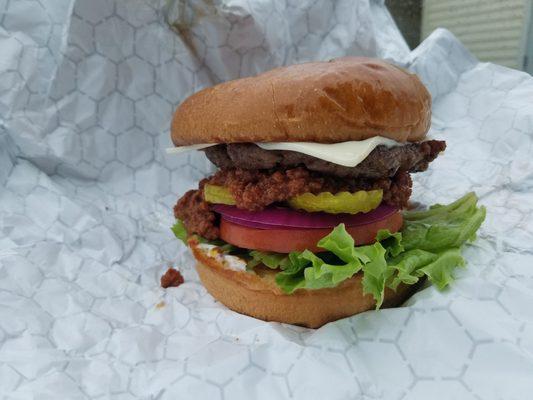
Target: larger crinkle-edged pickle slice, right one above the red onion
{"x":342,"y":202}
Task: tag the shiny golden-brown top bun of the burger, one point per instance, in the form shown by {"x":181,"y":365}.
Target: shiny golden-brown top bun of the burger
{"x":352,"y":98}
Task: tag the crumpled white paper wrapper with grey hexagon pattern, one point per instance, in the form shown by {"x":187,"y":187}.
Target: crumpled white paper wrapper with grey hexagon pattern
{"x":87,"y":91}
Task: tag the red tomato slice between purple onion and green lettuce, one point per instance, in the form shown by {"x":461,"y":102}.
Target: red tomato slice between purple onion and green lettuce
{"x":287,"y":240}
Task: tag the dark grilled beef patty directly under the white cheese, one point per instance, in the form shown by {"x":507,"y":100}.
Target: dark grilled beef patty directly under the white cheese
{"x":382,"y":162}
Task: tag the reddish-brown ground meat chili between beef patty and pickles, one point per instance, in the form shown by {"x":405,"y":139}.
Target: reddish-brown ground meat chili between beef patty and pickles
{"x":255,"y":189}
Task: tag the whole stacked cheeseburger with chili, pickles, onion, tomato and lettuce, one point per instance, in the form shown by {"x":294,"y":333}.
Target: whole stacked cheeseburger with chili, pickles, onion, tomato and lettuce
{"x":307,"y":218}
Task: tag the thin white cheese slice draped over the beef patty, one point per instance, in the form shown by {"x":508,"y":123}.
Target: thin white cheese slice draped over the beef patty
{"x":348,"y":154}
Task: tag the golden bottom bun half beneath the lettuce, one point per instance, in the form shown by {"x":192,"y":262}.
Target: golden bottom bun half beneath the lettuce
{"x":257,"y":295}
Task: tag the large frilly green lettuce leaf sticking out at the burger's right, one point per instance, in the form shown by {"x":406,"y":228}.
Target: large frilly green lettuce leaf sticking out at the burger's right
{"x":428,"y":246}
